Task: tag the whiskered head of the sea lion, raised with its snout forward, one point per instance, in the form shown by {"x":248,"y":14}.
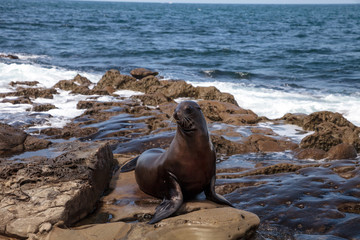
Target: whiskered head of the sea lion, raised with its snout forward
{"x":189,"y":117}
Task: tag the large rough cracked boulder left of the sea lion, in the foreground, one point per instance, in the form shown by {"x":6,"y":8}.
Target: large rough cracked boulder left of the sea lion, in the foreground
{"x":38,"y":192}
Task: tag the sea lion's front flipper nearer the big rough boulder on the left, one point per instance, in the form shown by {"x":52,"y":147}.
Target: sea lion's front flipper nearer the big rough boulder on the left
{"x":169,"y":206}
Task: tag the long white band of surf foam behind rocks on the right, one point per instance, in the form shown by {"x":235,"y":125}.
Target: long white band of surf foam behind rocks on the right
{"x":275,"y":103}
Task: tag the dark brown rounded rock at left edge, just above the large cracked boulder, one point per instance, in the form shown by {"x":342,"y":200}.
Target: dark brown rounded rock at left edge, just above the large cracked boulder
{"x":11,"y":139}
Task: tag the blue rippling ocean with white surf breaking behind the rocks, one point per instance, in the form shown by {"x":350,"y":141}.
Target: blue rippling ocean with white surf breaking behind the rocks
{"x":275,"y":59}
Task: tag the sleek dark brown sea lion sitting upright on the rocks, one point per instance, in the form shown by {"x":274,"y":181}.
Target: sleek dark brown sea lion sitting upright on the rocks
{"x":184,"y":170}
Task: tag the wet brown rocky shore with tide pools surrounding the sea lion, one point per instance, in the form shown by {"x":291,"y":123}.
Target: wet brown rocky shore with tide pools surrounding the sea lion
{"x":64,"y":182}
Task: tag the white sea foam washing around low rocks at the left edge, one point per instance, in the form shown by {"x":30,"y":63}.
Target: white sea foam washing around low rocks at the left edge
{"x":47,"y":77}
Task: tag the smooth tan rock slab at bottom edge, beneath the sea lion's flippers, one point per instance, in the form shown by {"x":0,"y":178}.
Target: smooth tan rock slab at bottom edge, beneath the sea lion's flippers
{"x":217,"y":223}
